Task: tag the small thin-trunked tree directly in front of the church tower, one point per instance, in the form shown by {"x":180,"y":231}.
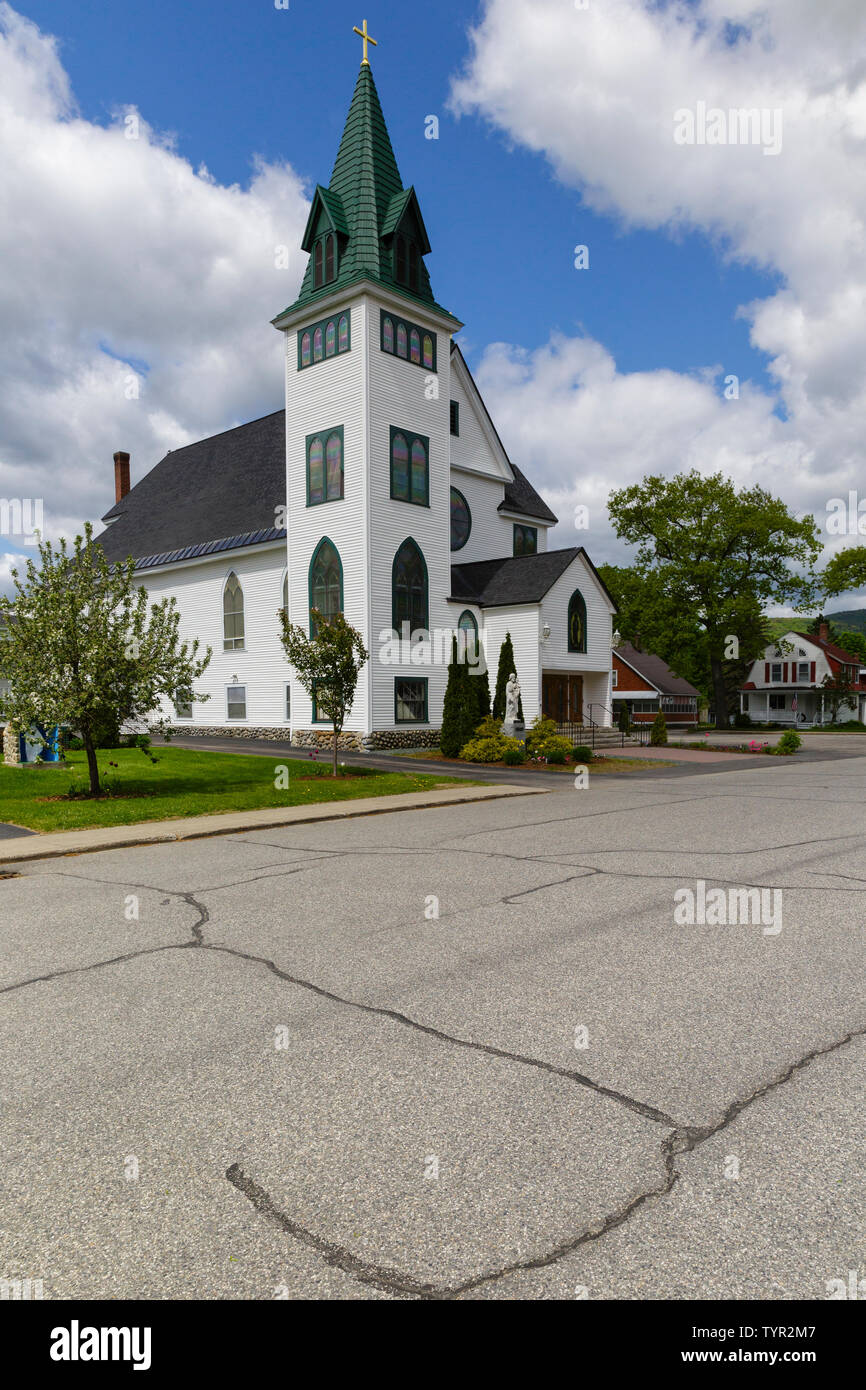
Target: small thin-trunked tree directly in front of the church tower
{"x":329,"y":664}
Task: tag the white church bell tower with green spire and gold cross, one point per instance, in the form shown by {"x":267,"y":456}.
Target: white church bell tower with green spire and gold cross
{"x":369,"y":427}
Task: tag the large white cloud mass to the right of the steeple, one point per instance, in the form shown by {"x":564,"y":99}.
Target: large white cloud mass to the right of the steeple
{"x":596,"y":92}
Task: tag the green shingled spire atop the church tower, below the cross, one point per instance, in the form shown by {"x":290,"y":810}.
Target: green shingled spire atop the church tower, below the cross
{"x":368,"y":212}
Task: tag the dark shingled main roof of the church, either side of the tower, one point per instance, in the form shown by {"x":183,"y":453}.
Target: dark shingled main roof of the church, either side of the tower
{"x":219,"y":490}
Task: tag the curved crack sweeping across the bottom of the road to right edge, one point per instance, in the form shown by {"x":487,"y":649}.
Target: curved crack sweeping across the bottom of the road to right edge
{"x":683,"y":1139}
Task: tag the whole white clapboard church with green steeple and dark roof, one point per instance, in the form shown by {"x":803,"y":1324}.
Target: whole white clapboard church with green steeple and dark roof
{"x":383,"y":490}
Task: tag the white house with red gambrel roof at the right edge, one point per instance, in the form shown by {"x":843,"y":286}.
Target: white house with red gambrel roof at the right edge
{"x":789,"y":683}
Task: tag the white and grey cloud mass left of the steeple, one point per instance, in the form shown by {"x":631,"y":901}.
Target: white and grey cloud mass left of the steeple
{"x":116,"y":248}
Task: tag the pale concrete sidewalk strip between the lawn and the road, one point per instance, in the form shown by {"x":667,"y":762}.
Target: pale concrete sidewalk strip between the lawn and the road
{"x":198,"y":828}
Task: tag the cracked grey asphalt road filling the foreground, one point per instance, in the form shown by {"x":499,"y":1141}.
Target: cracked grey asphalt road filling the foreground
{"x":459,"y":1053}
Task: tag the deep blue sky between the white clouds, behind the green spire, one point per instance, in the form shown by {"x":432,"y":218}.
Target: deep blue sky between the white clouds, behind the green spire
{"x":237,"y":79}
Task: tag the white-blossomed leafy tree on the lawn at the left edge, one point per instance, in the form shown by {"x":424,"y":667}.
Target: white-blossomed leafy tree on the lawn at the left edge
{"x":84,"y":647}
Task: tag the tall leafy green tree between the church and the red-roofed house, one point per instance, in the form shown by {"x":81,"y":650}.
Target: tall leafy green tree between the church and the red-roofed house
{"x":721,"y":555}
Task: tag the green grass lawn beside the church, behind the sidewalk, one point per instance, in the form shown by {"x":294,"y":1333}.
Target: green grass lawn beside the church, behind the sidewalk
{"x":186,"y":783}
